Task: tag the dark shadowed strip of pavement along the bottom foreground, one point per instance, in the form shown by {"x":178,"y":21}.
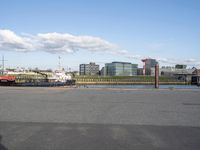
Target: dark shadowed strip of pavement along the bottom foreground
{"x":62,"y":136}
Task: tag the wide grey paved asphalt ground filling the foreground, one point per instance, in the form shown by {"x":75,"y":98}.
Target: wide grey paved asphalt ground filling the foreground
{"x":60,"y":118}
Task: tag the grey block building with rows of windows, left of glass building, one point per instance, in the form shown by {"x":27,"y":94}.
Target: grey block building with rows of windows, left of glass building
{"x":89,"y":69}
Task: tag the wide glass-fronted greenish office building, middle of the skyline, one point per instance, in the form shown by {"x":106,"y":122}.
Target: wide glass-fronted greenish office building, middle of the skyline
{"x":120,"y":69}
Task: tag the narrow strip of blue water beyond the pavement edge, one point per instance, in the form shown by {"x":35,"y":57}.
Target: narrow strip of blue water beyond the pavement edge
{"x":142,"y":86}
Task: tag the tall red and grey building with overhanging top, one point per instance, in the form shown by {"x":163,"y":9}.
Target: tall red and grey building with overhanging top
{"x":148,"y":64}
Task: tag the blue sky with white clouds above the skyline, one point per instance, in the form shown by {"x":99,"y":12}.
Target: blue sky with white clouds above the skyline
{"x":34,"y":33}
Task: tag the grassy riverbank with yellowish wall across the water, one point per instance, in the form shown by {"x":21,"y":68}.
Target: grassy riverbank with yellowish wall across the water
{"x":128,"y":80}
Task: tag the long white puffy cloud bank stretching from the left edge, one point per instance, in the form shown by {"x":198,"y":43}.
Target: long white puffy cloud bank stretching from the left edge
{"x":54,"y":43}
